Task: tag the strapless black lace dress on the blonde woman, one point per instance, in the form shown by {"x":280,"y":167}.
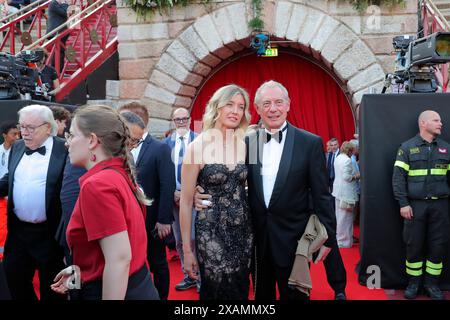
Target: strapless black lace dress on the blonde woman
{"x":223,"y":234}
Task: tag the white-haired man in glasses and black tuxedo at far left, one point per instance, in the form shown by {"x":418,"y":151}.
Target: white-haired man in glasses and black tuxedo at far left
{"x":32,"y":185}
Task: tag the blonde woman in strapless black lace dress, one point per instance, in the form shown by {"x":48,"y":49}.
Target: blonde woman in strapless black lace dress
{"x":215,"y":160}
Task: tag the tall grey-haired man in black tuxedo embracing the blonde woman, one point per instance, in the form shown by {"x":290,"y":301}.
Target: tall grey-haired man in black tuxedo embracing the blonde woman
{"x":283,"y":168}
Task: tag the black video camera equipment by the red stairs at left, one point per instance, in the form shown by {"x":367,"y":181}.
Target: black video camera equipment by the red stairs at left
{"x":18,"y":75}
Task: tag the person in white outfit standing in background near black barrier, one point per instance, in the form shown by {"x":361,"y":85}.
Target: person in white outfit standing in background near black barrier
{"x":345,"y":194}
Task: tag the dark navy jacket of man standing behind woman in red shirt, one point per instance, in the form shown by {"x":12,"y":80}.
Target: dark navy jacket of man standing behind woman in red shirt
{"x":156,"y":176}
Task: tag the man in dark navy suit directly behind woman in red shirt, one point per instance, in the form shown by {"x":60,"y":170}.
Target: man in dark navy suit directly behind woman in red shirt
{"x":156,"y":176}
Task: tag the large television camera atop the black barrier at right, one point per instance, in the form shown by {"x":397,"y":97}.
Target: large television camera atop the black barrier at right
{"x":416,"y":61}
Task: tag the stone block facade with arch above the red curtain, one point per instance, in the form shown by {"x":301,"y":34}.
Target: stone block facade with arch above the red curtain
{"x":165,"y":59}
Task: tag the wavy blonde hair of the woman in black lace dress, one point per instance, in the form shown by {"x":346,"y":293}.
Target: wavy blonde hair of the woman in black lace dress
{"x":219,"y":99}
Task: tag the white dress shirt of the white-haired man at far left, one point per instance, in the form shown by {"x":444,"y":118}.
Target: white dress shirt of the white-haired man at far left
{"x":30,"y":179}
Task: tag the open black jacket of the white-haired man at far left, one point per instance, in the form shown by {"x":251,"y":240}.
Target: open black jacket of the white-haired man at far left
{"x":53,"y":184}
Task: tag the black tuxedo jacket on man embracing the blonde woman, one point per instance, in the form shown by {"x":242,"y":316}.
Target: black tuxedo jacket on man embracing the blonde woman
{"x":301,"y":171}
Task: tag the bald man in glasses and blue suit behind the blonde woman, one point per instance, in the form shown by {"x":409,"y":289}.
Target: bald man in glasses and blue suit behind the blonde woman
{"x":178,"y":142}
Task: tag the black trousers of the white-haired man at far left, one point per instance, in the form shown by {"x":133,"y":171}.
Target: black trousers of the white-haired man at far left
{"x":29,"y":247}
